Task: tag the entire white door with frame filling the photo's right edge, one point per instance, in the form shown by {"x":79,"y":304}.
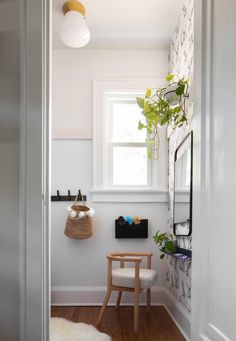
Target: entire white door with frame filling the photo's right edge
{"x":214,"y":199}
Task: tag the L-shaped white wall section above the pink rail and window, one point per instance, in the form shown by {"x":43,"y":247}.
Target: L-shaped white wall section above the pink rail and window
{"x":74,"y":71}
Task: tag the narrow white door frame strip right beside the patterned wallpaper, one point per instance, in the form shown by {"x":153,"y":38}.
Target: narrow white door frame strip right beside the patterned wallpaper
{"x":201,"y":156}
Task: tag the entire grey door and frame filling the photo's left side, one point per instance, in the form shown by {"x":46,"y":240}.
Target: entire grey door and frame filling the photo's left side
{"x":24,"y":93}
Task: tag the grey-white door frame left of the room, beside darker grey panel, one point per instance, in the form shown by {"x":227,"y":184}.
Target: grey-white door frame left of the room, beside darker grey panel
{"x":35,"y":128}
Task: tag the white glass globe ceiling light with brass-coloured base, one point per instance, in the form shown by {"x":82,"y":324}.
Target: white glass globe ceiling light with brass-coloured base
{"x":74,"y":29}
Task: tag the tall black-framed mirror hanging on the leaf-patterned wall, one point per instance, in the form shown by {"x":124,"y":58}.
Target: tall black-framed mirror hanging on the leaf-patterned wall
{"x":182,"y":206}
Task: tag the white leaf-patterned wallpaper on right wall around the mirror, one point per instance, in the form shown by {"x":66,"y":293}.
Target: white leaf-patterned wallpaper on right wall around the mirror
{"x":180,"y":64}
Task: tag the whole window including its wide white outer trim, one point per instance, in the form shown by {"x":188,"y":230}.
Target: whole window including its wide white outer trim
{"x":121,"y":164}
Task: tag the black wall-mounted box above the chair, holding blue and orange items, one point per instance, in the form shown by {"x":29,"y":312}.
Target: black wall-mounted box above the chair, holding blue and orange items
{"x":131,"y":231}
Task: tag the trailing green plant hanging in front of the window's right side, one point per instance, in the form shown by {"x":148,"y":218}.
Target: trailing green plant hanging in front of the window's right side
{"x":161,"y":107}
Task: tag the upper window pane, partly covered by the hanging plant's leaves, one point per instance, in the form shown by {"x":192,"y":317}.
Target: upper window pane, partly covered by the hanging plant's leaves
{"x":125,"y":118}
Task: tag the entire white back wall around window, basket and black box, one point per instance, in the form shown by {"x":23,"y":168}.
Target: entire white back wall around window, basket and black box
{"x":83,"y":263}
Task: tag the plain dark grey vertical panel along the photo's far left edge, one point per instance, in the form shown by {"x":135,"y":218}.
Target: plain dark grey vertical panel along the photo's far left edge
{"x":9,"y":170}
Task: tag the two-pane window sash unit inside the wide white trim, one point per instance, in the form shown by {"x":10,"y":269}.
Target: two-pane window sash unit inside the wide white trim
{"x":126,"y":150}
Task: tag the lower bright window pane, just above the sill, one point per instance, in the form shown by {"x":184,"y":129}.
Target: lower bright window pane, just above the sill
{"x":129,"y":166}
